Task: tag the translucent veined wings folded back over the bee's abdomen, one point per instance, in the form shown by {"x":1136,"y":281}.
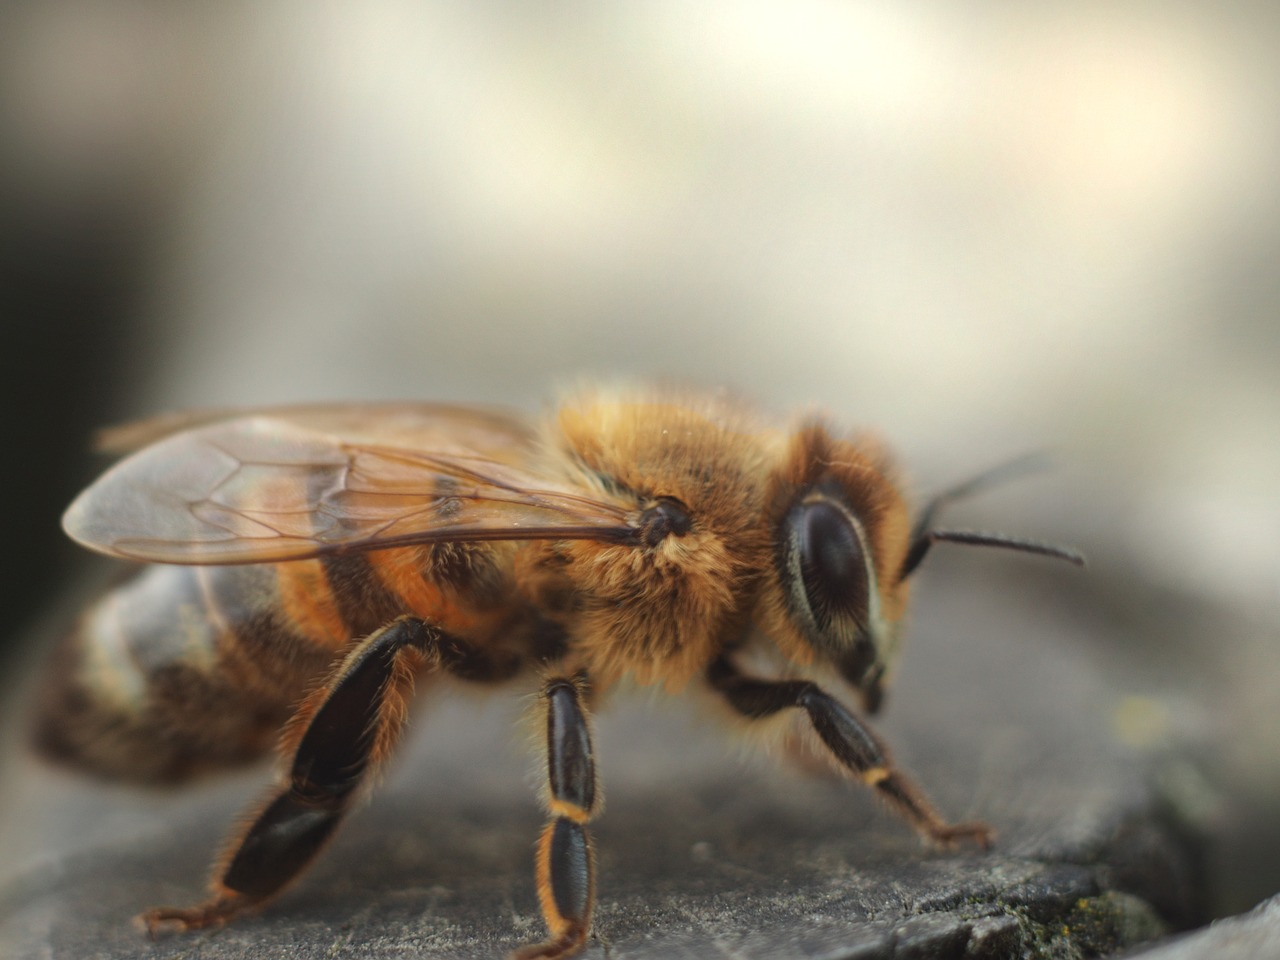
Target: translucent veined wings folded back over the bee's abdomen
{"x":307,"y":482}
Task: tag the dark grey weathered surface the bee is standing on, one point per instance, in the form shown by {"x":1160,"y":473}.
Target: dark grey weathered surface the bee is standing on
{"x":1004,"y":711}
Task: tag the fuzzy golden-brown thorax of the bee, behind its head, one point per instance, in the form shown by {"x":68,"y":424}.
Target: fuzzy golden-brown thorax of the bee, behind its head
{"x":661,"y":612}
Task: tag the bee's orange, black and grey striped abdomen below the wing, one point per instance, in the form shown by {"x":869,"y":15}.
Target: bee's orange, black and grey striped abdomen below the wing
{"x":191,"y":669}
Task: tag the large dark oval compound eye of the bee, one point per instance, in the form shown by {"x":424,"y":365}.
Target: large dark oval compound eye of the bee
{"x":828,"y":555}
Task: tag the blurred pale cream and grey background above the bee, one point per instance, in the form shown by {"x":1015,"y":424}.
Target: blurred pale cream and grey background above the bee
{"x":982,"y":230}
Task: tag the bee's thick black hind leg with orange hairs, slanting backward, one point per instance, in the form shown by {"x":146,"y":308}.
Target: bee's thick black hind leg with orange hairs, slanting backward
{"x":339,"y":735}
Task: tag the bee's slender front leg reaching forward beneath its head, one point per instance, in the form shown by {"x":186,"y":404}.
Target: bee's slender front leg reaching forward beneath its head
{"x":854,"y":747}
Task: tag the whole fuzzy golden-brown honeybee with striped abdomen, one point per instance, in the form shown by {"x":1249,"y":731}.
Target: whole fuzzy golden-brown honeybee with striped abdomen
{"x":310,"y":564}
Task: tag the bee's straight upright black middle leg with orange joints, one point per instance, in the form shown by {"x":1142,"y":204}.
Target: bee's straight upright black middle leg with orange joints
{"x":566,"y":861}
